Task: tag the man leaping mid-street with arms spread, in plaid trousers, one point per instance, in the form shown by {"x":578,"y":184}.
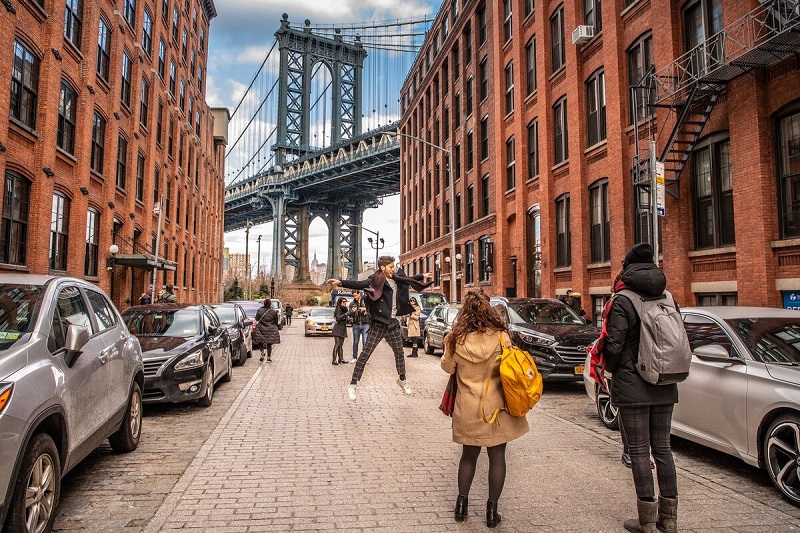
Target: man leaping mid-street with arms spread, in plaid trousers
{"x":387,"y":294}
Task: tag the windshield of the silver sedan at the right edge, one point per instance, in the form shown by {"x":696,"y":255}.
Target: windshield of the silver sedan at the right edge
{"x":770,"y":340}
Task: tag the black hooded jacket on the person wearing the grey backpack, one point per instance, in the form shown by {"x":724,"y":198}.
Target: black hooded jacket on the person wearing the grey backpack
{"x":621,"y":347}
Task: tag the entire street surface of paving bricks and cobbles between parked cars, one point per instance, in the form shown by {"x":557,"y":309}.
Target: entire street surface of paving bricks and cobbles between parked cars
{"x":283,"y":449}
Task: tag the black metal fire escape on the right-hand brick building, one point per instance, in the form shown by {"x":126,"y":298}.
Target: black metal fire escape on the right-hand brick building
{"x":689,"y":87}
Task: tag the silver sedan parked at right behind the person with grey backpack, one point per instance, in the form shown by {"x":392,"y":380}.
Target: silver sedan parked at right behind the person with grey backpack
{"x":742,"y":396}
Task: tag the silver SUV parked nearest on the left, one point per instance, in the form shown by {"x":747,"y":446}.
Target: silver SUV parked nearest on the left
{"x":71,"y":376}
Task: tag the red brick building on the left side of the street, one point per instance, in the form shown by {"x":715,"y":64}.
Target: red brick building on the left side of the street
{"x":107,"y":116}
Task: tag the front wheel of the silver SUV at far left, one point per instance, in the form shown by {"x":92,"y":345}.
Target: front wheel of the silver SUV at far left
{"x":37,"y":489}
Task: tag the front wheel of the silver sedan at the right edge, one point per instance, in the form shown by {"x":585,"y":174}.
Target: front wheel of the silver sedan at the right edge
{"x":781,"y":452}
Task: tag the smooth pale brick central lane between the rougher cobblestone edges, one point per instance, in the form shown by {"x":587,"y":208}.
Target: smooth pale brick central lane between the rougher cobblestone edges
{"x":294,"y":454}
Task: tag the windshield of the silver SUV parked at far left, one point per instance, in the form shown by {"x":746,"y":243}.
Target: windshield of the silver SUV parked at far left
{"x":19,"y":305}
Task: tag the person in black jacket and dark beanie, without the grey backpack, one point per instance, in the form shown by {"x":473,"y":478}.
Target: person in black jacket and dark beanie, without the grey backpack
{"x":645,"y":409}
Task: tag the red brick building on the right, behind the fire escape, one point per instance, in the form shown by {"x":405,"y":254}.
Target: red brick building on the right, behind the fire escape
{"x":542,"y":136}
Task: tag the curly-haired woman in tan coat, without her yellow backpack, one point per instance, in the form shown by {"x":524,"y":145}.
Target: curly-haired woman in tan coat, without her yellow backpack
{"x":471,"y":350}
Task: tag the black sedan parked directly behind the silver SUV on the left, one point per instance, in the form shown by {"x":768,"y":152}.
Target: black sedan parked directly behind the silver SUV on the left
{"x":186,"y":351}
